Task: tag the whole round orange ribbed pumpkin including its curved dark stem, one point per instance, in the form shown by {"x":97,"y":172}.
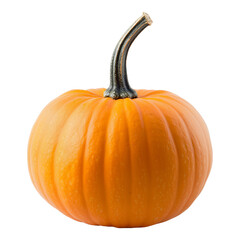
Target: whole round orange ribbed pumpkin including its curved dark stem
{"x":120,"y":157}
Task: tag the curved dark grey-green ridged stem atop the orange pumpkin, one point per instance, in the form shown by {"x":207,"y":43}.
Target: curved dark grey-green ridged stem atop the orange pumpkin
{"x":119,"y":86}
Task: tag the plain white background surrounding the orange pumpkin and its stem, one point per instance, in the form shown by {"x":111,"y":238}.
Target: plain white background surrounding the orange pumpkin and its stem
{"x":191,"y":49}
